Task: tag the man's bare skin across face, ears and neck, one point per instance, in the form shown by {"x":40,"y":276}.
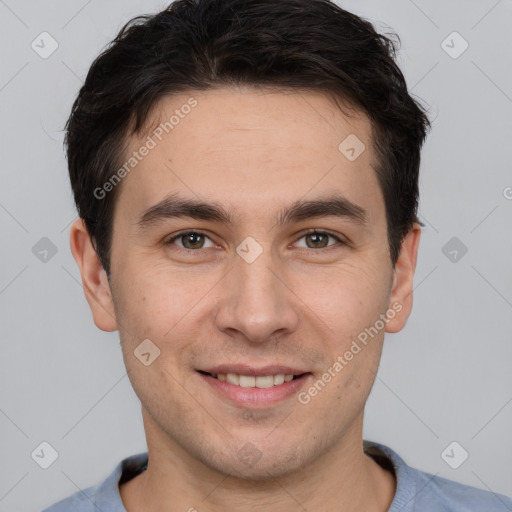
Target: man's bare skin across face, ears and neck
{"x":254,"y":152}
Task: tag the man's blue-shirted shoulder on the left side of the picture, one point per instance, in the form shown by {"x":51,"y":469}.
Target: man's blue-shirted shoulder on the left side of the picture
{"x":104,"y":496}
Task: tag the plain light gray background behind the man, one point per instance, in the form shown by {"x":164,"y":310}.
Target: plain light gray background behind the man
{"x":446,"y":377}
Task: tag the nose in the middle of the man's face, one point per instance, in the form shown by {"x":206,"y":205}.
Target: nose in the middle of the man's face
{"x":256,"y":302}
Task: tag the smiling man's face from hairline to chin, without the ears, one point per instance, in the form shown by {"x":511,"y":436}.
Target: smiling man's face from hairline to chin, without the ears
{"x":258,"y":291}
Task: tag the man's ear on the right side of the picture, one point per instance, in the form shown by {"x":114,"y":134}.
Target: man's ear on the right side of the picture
{"x":403,"y":274}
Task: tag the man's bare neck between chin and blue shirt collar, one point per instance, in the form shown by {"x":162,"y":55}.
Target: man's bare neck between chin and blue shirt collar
{"x":343,"y":479}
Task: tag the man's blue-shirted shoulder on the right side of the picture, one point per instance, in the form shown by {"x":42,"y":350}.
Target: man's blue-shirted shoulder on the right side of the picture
{"x":420,"y":491}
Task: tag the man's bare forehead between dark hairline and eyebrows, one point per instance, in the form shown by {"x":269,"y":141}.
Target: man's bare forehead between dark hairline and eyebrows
{"x":253,"y":149}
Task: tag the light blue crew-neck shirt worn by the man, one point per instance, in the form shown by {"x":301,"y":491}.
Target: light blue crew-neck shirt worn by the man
{"x":416,"y":490}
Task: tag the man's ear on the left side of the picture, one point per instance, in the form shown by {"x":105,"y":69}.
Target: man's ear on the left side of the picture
{"x":94,"y":278}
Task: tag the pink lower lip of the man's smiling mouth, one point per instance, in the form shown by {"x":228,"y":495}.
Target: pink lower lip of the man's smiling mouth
{"x":256,"y":397}
